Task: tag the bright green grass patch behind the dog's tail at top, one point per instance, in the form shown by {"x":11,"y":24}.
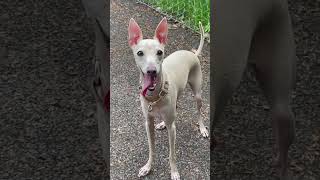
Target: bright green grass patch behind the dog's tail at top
{"x":189,"y":12}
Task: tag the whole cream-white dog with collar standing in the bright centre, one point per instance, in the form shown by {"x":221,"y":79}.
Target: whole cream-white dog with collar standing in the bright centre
{"x":162,"y":82}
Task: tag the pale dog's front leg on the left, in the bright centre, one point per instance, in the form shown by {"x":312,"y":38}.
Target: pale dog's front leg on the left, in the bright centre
{"x":151,"y":141}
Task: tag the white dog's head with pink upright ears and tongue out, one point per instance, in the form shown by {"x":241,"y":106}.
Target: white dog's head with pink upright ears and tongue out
{"x":148,"y":53}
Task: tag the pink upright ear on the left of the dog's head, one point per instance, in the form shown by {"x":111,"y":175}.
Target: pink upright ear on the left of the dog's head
{"x":135,"y":33}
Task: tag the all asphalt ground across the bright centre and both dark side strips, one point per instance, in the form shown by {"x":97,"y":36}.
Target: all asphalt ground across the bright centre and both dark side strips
{"x":47,"y":128}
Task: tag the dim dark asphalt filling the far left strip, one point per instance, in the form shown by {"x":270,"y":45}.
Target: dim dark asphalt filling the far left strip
{"x":47,"y":129}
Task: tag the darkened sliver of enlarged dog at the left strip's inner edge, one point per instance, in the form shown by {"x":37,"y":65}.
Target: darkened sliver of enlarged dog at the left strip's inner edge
{"x":98,"y":10}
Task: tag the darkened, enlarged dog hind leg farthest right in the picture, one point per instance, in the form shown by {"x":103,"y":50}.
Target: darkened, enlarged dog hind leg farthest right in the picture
{"x":275,"y":71}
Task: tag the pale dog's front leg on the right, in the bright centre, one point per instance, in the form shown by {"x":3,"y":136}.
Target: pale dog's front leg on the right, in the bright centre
{"x":170,"y":123}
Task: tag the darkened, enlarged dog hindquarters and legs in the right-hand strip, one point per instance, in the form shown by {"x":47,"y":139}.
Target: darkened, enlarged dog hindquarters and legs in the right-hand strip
{"x":257,"y":32}
